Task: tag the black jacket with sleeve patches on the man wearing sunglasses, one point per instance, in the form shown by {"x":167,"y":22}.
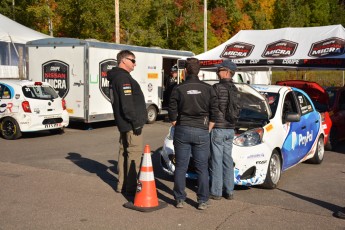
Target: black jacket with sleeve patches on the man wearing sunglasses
{"x":127,"y":100}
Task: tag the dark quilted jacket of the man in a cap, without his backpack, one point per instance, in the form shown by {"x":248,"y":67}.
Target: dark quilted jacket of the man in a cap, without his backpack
{"x":221,"y":89}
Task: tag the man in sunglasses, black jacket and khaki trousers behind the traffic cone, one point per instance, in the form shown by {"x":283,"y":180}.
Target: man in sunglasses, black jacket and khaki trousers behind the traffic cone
{"x":129,"y":109}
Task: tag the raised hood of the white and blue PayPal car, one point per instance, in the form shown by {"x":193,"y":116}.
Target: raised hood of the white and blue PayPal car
{"x":253,"y":100}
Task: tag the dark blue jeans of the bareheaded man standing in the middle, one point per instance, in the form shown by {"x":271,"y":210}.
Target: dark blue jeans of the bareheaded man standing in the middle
{"x":196,"y":142}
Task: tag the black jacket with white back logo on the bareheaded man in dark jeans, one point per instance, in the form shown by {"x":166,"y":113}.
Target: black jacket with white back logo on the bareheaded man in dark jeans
{"x":193,"y":103}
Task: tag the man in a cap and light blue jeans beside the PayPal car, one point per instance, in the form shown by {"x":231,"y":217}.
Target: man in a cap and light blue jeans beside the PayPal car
{"x":222,"y":135}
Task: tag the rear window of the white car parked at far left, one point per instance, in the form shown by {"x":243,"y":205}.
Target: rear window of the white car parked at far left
{"x":43,"y":92}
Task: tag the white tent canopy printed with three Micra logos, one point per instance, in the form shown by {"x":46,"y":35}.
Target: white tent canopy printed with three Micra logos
{"x":297,"y":48}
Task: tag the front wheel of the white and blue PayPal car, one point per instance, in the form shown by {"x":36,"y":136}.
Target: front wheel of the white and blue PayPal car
{"x":273,"y":171}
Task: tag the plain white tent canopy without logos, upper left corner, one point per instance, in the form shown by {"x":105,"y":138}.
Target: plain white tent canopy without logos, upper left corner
{"x":11,"y":31}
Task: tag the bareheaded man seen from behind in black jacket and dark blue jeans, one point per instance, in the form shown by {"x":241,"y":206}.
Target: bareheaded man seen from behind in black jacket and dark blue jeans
{"x":192,"y":109}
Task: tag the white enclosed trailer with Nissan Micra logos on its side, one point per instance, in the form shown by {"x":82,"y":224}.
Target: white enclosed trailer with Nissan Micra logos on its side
{"x":77,"y":69}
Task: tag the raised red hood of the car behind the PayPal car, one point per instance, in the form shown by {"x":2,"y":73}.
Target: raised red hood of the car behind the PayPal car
{"x":315,"y":91}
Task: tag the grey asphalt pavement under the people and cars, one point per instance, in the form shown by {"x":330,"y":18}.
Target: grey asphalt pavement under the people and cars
{"x":67,"y":182}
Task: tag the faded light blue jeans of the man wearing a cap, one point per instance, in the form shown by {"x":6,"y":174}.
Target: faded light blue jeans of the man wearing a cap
{"x":222,"y":164}
